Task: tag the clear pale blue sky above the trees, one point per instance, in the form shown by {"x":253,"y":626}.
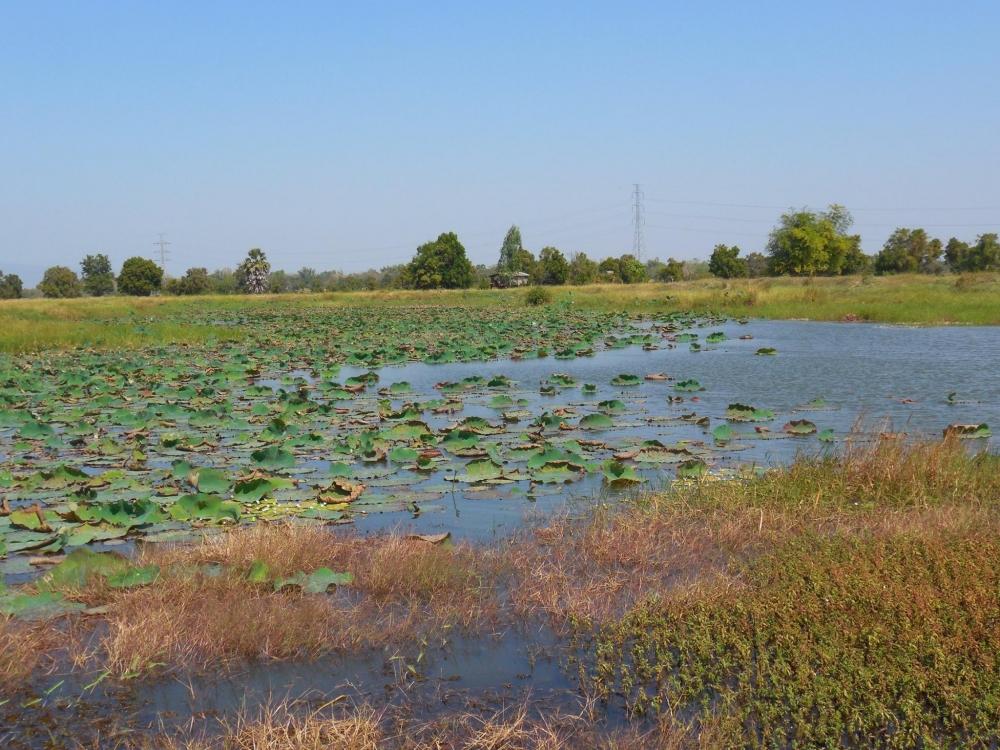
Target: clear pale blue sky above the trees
{"x":342,"y":135}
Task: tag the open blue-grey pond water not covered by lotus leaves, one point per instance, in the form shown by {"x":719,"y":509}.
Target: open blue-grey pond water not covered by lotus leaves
{"x":870,"y":378}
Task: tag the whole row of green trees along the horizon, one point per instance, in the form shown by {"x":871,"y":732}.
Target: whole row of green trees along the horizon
{"x":804,"y":243}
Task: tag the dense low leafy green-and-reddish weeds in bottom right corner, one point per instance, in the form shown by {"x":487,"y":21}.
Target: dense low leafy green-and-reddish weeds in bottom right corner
{"x":890,"y":640}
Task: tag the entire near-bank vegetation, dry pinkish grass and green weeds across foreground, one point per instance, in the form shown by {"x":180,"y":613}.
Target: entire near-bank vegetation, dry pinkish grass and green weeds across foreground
{"x":845,"y":599}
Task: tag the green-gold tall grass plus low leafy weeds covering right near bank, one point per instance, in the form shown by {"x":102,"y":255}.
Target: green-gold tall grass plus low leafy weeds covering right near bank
{"x":864,"y":609}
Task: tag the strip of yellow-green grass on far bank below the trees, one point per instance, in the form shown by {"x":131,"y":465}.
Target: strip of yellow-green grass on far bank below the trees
{"x":911,"y":299}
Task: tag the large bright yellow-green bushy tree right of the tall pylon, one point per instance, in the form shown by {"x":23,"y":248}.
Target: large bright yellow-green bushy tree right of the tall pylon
{"x":808,"y":243}
